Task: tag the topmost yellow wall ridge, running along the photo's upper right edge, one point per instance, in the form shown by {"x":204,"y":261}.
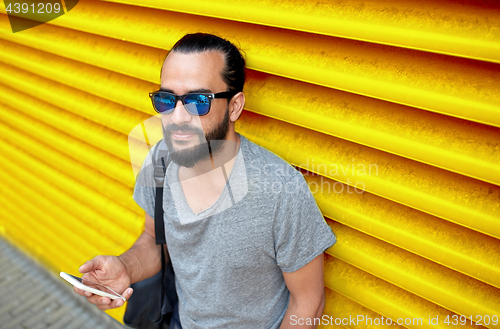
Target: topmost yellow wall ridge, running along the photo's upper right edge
{"x":469,"y":32}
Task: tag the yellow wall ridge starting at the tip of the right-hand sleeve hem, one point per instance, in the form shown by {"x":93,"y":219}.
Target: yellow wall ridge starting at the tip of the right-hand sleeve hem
{"x":438,"y":284}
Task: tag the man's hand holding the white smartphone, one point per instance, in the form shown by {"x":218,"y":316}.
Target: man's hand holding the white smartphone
{"x":110,"y":271}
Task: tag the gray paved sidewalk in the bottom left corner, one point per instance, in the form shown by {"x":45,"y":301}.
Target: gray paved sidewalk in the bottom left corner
{"x":33,"y":298}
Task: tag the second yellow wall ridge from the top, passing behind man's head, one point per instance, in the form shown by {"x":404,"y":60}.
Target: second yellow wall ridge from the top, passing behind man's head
{"x":438,"y":83}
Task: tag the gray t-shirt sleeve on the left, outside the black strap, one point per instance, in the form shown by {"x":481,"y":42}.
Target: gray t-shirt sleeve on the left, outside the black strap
{"x":144,"y":190}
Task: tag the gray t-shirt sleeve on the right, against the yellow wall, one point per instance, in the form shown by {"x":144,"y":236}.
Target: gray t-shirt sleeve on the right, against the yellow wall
{"x":300,"y":231}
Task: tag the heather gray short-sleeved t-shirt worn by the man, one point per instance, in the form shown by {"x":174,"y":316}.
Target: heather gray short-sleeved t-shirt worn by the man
{"x":229,"y":258}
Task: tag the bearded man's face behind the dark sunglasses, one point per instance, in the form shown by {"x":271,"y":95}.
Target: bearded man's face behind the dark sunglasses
{"x":186,"y":135}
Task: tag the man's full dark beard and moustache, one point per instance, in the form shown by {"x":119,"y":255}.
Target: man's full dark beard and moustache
{"x":190,"y":156}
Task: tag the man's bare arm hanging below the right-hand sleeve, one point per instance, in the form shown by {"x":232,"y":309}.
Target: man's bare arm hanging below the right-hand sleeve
{"x":307,"y":295}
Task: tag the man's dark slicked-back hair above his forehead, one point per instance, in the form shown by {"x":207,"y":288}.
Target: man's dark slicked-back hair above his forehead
{"x":233,"y":73}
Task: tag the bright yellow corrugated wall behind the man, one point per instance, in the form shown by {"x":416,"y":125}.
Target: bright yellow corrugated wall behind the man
{"x":391,"y":108}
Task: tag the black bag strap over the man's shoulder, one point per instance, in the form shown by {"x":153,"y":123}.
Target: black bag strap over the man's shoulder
{"x":160,"y":164}
